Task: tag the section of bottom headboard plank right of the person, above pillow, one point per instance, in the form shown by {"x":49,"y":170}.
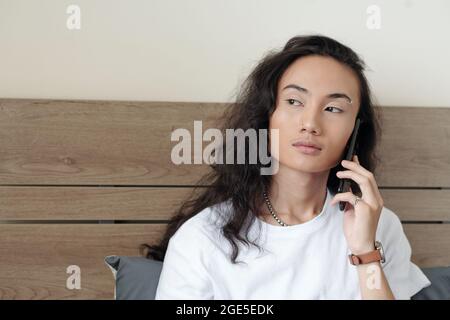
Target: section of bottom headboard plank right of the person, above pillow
{"x":430,"y":244}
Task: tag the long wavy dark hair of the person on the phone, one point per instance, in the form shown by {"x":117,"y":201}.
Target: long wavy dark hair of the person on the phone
{"x":242,"y":184}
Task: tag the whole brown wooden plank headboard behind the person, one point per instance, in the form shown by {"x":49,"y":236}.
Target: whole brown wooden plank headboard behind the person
{"x":80,"y":180}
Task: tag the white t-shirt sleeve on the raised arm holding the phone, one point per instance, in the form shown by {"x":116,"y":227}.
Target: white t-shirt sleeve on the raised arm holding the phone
{"x":404,"y":277}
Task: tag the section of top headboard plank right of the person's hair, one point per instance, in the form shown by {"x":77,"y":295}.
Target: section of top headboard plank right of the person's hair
{"x":415,"y":147}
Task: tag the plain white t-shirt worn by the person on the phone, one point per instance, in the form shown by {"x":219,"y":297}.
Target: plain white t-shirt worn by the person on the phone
{"x":303,"y":261}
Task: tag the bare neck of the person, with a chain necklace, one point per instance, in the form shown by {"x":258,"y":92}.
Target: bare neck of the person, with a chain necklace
{"x":296,"y":197}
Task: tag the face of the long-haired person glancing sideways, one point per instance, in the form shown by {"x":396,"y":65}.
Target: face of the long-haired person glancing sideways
{"x":313,"y":115}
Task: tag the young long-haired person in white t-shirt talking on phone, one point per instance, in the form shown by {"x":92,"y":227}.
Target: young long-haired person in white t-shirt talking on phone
{"x":283,"y":236}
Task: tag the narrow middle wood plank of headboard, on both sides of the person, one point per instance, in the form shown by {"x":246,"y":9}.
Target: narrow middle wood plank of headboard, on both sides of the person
{"x":160,"y":203}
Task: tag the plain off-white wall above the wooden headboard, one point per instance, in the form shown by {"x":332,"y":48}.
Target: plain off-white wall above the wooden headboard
{"x":200,"y":50}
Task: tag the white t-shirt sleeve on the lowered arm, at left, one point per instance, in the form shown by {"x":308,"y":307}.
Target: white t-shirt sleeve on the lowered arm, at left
{"x":184,"y":274}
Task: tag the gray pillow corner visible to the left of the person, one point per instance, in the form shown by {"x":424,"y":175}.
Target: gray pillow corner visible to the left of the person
{"x":136,"y":277}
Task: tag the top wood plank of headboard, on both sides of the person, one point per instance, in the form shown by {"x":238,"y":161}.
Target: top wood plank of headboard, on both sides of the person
{"x":128,"y":143}
